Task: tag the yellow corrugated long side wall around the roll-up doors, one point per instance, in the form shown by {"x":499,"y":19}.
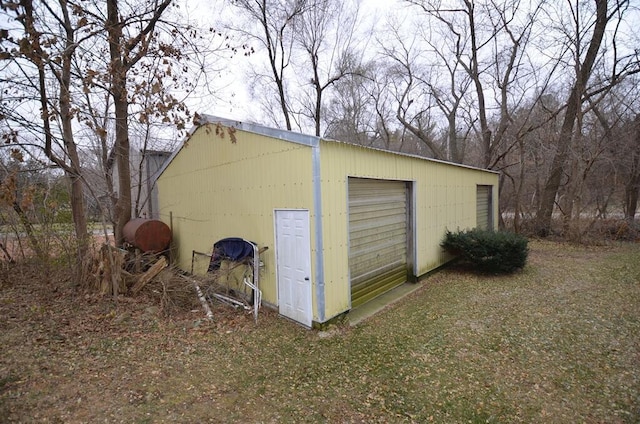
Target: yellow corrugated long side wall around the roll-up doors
{"x":444,"y":197}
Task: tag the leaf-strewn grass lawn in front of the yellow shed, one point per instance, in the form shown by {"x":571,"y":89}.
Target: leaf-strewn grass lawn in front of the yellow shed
{"x":558,"y":342}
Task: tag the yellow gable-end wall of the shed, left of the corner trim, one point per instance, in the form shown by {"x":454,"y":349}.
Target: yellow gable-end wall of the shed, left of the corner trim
{"x":229,"y":187}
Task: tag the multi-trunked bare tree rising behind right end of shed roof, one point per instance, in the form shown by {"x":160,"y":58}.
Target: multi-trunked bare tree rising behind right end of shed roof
{"x":480,"y":47}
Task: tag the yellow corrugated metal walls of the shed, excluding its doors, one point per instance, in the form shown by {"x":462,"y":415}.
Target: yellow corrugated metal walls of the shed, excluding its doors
{"x":219,"y":187}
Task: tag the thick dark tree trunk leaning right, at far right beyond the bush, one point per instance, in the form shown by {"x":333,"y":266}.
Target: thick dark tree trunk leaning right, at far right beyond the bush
{"x":573,"y":106}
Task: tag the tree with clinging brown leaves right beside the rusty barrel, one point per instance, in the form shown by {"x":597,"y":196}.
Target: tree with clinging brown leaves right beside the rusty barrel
{"x":165,"y":59}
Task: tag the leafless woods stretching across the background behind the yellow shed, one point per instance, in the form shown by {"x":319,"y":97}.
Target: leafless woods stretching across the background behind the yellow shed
{"x":546,"y":92}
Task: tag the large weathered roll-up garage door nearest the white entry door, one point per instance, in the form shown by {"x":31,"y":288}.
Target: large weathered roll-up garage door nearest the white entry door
{"x":377,"y":237}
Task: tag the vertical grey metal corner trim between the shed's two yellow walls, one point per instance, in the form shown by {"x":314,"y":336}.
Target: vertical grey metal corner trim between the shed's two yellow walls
{"x":317,"y":206}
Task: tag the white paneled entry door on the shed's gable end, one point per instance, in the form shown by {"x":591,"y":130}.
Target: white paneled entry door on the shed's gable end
{"x":293,"y":257}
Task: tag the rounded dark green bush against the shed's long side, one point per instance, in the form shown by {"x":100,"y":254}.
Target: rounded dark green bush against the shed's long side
{"x":489,"y":251}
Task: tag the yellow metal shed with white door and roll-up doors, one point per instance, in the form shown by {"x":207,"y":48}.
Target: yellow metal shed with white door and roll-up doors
{"x":343,"y":223}
